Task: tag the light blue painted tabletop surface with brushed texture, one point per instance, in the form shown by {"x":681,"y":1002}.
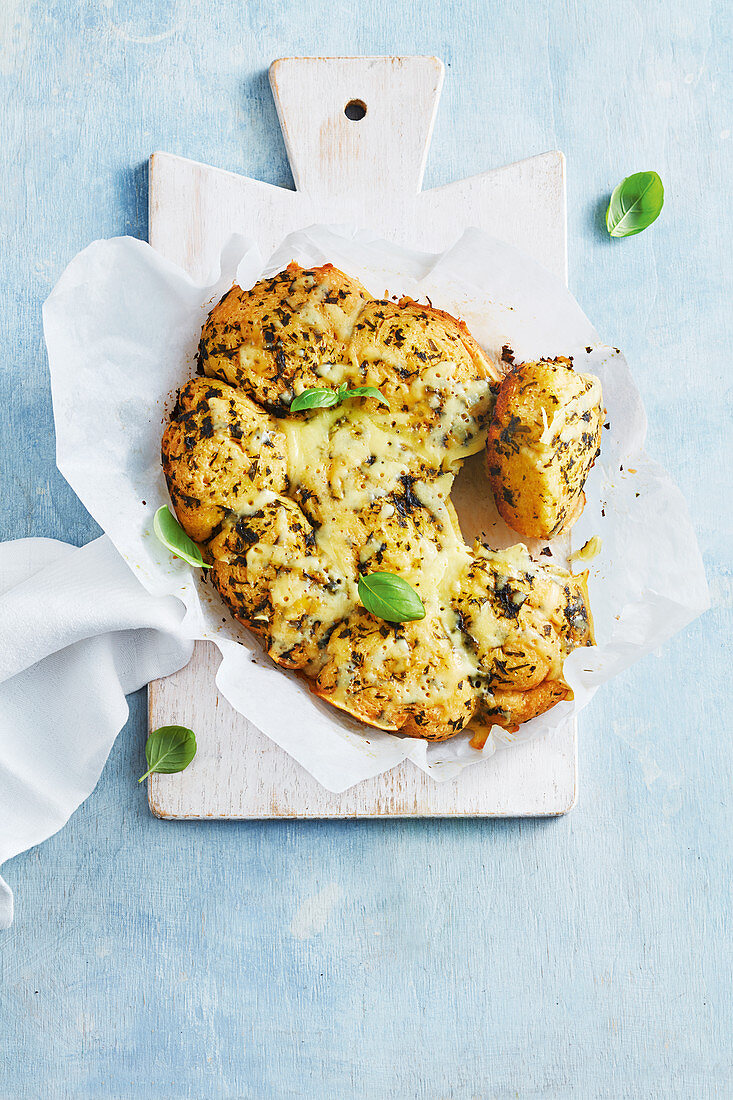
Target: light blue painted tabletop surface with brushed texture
{"x":582,"y":958}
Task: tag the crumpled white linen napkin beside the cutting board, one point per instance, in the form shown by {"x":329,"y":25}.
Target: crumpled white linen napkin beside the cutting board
{"x":78,"y":633}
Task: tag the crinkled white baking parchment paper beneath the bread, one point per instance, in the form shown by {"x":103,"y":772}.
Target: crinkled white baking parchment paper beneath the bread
{"x":123,"y":327}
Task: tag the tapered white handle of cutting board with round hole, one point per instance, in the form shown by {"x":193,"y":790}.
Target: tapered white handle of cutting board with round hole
{"x":357,"y":125}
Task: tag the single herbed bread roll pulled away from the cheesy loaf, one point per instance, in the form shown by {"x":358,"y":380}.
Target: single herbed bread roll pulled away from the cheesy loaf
{"x":544,"y":437}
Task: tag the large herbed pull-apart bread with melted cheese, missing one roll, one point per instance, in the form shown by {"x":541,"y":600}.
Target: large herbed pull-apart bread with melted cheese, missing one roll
{"x":290,"y":509}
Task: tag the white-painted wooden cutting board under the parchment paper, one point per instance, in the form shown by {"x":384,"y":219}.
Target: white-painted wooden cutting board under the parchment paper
{"x":367,"y":171}
